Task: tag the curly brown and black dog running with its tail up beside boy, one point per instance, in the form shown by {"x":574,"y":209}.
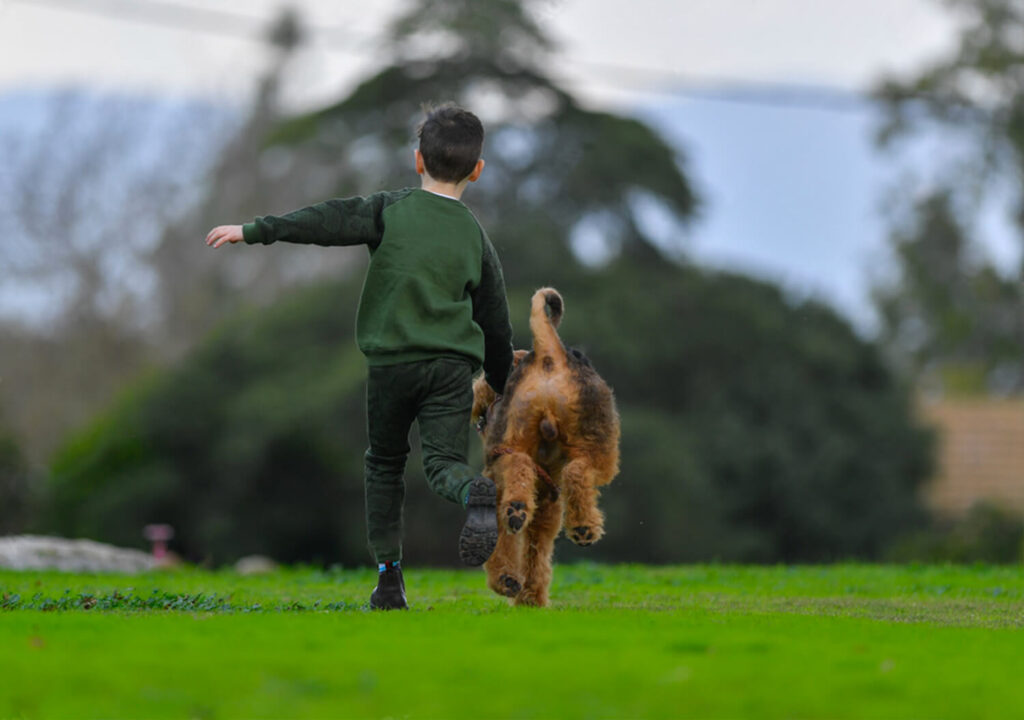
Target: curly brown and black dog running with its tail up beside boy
{"x":549,"y":444}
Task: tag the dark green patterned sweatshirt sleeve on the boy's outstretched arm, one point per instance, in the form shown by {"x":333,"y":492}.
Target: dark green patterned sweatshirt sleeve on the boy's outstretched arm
{"x":342,"y":222}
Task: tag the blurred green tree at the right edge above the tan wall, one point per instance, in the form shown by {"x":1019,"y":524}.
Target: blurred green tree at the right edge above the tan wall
{"x":952,"y":316}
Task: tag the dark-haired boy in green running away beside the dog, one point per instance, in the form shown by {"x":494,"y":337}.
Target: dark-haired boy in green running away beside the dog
{"x":433,"y":312}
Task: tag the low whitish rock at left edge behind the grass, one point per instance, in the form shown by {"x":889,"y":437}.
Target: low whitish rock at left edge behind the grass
{"x":33,"y":553}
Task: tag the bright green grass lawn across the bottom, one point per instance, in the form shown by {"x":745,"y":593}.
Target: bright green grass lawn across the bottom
{"x":846,"y":642}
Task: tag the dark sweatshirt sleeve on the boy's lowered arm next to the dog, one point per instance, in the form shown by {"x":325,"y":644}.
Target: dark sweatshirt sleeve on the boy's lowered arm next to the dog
{"x":491,"y":312}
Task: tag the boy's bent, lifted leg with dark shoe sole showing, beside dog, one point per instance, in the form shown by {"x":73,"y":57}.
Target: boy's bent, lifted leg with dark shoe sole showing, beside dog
{"x":444,"y":419}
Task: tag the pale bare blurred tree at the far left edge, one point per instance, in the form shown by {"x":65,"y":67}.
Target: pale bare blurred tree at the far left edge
{"x":79,"y":221}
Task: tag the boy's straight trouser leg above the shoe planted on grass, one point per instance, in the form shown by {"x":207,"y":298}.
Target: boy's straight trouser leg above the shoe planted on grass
{"x":391,"y":411}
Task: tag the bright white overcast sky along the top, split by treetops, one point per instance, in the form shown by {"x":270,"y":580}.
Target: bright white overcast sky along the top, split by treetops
{"x":843,"y":44}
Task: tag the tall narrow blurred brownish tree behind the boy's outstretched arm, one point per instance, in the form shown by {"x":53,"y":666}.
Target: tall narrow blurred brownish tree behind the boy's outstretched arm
{"x":196,"y":290}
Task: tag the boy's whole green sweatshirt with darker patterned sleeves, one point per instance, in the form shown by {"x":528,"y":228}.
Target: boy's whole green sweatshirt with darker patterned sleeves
{"x":435,"y":285}
